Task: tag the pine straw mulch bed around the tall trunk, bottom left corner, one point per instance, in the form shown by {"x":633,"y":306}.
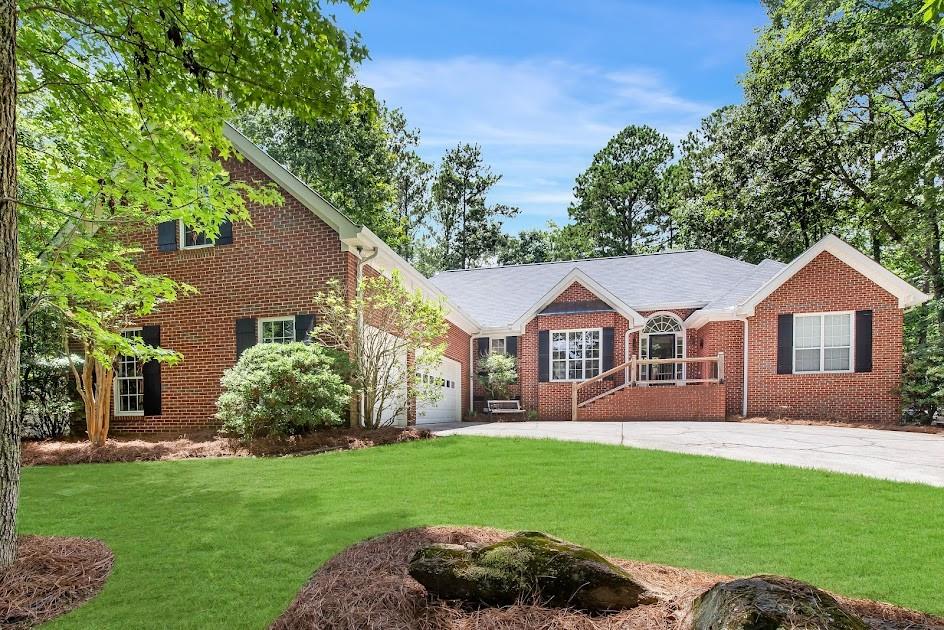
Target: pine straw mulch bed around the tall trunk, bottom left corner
{"x":50,"y":577}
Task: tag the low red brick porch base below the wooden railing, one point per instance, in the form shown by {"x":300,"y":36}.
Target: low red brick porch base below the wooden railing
{"x":690,"y":402}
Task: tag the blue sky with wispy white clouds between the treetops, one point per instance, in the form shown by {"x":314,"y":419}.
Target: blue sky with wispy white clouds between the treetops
{"x":542,"y":86}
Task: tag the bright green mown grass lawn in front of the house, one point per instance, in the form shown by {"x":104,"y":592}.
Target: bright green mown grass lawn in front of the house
{"x":227,"y":543}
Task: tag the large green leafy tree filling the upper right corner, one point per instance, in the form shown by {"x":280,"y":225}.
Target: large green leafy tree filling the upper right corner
{"x":855,"y":83}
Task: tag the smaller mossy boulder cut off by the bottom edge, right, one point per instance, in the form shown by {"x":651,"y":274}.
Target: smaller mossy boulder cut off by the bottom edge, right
{"x":768,"y":602}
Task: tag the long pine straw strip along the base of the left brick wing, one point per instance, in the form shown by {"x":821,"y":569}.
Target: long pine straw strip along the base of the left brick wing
{"x":162,"y":447}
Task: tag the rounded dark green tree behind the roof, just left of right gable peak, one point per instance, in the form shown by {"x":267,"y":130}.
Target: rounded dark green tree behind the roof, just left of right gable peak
{"x":749,"y":186}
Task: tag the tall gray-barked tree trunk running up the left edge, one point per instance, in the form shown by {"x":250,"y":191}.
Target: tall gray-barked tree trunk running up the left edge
{"x":9,"y":291}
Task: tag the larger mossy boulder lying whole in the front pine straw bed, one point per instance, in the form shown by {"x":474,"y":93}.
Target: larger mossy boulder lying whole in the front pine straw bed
{"x":527,"y":567}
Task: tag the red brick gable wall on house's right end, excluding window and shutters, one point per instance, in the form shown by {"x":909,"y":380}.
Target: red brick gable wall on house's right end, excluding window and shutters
{"x":827,"y":284}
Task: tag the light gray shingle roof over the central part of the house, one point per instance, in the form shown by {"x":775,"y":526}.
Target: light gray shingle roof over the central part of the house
{"x":498,"y":296}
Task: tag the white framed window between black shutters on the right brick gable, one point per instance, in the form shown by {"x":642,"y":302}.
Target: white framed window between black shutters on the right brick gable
{"x":822,"y":342}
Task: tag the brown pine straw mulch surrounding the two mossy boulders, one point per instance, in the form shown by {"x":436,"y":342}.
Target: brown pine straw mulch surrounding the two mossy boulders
{"x":367,"y":587}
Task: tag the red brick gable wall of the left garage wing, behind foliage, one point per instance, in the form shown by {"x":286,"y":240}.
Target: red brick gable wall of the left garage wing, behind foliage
{"x":274,"y":267}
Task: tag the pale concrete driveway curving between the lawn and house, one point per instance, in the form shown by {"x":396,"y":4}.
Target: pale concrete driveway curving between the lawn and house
{"x":895,"y":455}
